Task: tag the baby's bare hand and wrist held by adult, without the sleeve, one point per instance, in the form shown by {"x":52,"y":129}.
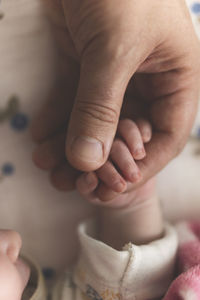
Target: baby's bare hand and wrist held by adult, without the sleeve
{"x":131,"y":214}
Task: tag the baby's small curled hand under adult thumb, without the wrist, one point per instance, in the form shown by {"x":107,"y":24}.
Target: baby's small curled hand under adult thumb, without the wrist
{"x":115,"y":177}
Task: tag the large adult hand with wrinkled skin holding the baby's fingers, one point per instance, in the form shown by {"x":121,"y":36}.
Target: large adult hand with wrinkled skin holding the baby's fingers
{"x":148,"y":48}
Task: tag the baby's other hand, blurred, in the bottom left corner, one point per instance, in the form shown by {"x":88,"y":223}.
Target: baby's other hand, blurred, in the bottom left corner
{"x":14,"y":273}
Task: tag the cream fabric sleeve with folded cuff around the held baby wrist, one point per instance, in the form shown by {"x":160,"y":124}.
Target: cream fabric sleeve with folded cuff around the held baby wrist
{"x":103,"y":273}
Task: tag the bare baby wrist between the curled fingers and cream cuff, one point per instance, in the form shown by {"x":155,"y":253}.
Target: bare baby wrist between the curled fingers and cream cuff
{"x":139,"y":222}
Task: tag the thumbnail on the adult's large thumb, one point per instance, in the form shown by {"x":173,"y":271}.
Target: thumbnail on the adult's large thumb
{"x":87,"y":149}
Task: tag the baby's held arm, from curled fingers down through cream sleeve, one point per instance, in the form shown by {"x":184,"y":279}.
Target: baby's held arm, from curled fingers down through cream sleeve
{"x":140,"y":260}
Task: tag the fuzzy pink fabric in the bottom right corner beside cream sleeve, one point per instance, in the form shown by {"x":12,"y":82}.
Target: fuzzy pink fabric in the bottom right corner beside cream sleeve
{"x":187,"y":285}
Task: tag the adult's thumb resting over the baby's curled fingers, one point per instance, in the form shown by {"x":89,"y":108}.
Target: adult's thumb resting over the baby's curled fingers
{"x":95,"y":114}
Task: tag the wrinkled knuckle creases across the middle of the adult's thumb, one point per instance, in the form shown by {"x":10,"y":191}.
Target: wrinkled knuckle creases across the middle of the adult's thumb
{"x":98,"y":112}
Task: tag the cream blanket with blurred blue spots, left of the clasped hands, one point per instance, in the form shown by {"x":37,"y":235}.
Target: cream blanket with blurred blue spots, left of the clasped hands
{"x":45,"y":218}
